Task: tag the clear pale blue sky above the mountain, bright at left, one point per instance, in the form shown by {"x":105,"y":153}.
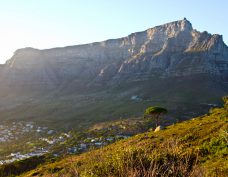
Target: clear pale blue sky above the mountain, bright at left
{"x":55,"y":23}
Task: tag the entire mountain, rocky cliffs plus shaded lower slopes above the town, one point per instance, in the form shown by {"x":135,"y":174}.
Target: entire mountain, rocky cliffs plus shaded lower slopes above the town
{"x":168,"y":62}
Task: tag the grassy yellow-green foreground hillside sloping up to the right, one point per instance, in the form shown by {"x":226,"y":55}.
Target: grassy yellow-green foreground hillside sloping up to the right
{"x":197,"y":147}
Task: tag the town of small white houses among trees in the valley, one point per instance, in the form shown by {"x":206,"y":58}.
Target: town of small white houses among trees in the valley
{"x":51,"y":139}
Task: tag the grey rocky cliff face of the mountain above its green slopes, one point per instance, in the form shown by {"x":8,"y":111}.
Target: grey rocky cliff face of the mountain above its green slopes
{"x":171,"y":50}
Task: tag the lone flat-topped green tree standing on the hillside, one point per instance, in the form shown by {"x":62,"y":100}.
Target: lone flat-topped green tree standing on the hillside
{"x":155,"y":113}
